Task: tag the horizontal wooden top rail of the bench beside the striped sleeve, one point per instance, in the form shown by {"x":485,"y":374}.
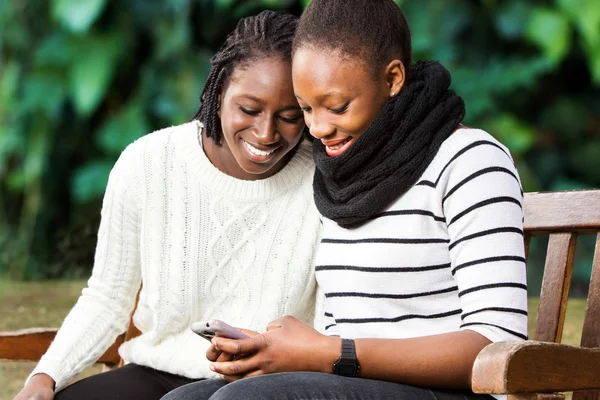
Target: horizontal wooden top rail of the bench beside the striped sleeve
{"x":562,"y":211}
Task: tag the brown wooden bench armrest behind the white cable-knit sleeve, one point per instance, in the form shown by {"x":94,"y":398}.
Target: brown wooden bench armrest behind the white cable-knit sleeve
{"x":31,"y":344}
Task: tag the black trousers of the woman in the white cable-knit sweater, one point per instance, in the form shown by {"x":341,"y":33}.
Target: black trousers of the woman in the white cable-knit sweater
{"x":131,"y":382}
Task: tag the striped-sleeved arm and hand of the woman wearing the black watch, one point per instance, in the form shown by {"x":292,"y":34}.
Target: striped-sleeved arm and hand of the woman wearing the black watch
{"x":484,"y":216}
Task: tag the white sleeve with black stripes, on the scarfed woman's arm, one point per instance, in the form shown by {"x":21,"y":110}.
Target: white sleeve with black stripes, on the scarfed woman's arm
{"x":483,"y":206}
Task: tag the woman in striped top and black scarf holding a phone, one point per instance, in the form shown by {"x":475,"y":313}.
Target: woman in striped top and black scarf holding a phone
{"x":422,"y":256}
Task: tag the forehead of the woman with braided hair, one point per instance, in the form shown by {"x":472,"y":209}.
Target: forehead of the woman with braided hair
{"x":262,"y":77}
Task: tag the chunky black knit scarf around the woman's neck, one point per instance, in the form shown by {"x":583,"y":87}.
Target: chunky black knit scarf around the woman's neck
{"x":386,"y":160}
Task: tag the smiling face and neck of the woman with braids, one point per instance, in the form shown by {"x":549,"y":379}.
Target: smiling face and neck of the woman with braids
{"x":260,"y":119}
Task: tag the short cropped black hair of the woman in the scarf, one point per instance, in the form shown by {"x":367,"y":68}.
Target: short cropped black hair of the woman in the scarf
{"x":375,"y":31}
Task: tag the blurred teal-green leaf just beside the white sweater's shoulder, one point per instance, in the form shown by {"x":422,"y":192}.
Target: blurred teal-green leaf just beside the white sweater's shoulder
{"x":89,"y":181}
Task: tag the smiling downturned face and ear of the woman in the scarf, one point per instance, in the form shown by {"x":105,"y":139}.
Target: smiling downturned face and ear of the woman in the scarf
{"x":340,"y":96}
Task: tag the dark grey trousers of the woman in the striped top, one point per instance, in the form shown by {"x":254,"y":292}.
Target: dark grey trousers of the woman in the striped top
{"x":312,"y":386}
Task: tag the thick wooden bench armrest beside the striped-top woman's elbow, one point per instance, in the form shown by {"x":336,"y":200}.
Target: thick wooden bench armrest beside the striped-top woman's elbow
{"x":519,"y":367}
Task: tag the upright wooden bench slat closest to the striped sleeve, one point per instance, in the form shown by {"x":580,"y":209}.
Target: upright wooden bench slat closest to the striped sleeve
{"x":555,"y":287}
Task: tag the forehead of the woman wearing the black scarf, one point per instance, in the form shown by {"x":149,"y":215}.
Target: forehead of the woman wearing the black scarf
{"x":318,"y":69}
